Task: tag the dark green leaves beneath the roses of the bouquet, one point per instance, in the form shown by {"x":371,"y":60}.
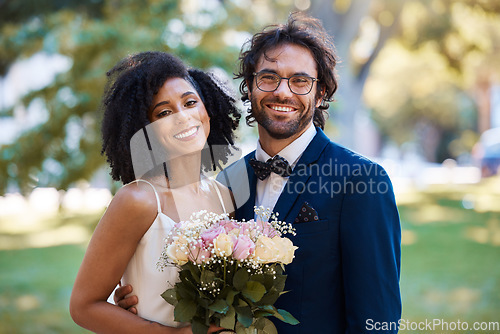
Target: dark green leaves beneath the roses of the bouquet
{"x":239,"y":302}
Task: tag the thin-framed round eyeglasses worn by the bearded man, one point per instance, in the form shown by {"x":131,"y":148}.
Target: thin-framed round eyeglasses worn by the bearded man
{"x":298,"y":84}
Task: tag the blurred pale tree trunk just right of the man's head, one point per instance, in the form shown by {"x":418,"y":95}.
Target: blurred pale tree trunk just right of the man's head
{"x":360,"y":29}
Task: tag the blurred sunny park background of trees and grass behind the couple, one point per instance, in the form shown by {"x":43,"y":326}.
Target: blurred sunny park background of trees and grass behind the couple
{"x":419,"y":93}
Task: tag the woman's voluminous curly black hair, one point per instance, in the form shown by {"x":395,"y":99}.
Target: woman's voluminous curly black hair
{"x":132,"y":84}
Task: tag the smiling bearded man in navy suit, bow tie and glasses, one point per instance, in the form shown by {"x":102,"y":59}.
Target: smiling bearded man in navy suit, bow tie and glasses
{"x":345,"y":275}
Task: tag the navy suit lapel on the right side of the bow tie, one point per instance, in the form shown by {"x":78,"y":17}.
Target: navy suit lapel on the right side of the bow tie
{"x":297,"y":182}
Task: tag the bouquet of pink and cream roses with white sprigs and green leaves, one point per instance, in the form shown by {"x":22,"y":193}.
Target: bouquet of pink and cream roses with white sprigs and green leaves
{"x":231,"y":272}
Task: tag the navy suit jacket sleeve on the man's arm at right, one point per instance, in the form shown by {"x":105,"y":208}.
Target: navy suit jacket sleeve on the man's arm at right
{"x":370,"y":243}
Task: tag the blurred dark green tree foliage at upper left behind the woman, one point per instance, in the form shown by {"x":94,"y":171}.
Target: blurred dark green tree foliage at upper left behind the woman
{"x":94,"y":35}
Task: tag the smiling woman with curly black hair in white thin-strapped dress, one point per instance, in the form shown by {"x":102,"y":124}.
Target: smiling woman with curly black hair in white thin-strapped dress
{"x":158,"y":119}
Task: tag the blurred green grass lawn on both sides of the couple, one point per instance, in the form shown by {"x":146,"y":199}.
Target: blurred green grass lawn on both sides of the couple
{"x":450,"y":265}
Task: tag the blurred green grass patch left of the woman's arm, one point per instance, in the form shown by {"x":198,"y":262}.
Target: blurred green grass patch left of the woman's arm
{"x":35,"y":286}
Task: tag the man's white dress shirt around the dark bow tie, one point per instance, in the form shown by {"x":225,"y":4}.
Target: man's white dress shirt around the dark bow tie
{"x":269,"y":190}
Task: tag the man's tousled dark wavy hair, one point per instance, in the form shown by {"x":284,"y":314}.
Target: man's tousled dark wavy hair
{"x":301,"y":30}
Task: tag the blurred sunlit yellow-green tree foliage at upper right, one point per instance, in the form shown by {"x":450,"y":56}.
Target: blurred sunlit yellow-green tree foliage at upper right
{"x":423,"y":86}
